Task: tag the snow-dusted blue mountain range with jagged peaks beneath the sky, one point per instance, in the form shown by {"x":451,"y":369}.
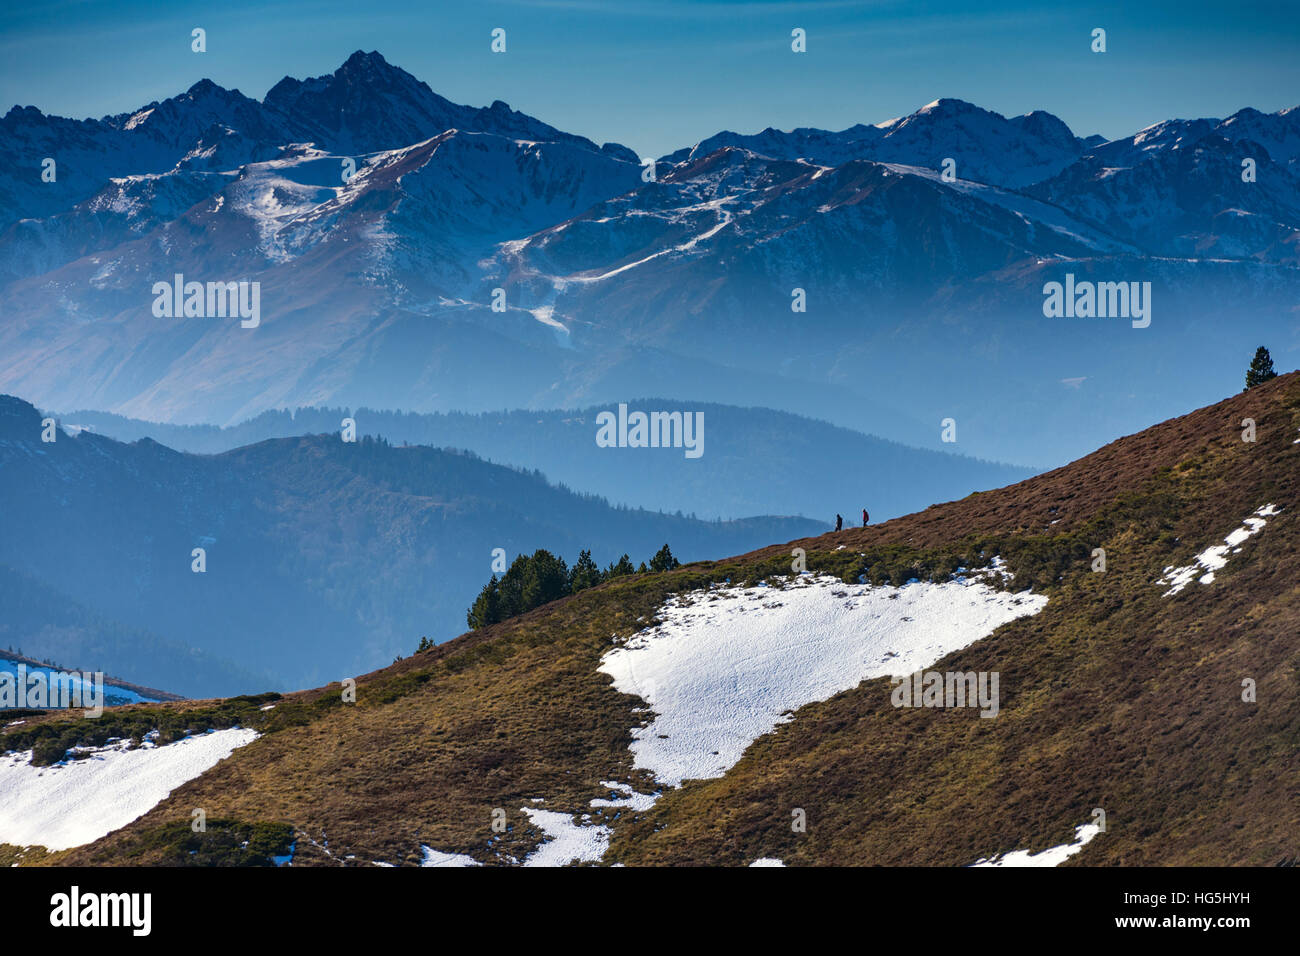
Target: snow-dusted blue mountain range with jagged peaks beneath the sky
{"x":921,"y":246}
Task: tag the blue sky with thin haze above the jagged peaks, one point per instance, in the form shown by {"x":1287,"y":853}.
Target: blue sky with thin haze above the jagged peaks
{"x":657,"y":75}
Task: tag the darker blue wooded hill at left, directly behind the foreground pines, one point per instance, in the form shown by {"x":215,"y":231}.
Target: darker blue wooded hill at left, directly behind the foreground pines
{"x":352,"y":550}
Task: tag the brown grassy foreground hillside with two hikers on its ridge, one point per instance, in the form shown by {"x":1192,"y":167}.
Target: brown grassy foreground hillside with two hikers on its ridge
{"x":1115,"y":697}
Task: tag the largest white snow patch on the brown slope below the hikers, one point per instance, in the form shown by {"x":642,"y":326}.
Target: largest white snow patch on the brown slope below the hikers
{"x":729,"y":665}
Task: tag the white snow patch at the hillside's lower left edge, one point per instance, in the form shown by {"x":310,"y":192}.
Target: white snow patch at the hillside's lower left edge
{"x":76,"y":803}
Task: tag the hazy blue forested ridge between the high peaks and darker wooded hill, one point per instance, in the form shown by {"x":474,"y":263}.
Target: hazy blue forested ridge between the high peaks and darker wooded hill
{"x":755,"y":460}
